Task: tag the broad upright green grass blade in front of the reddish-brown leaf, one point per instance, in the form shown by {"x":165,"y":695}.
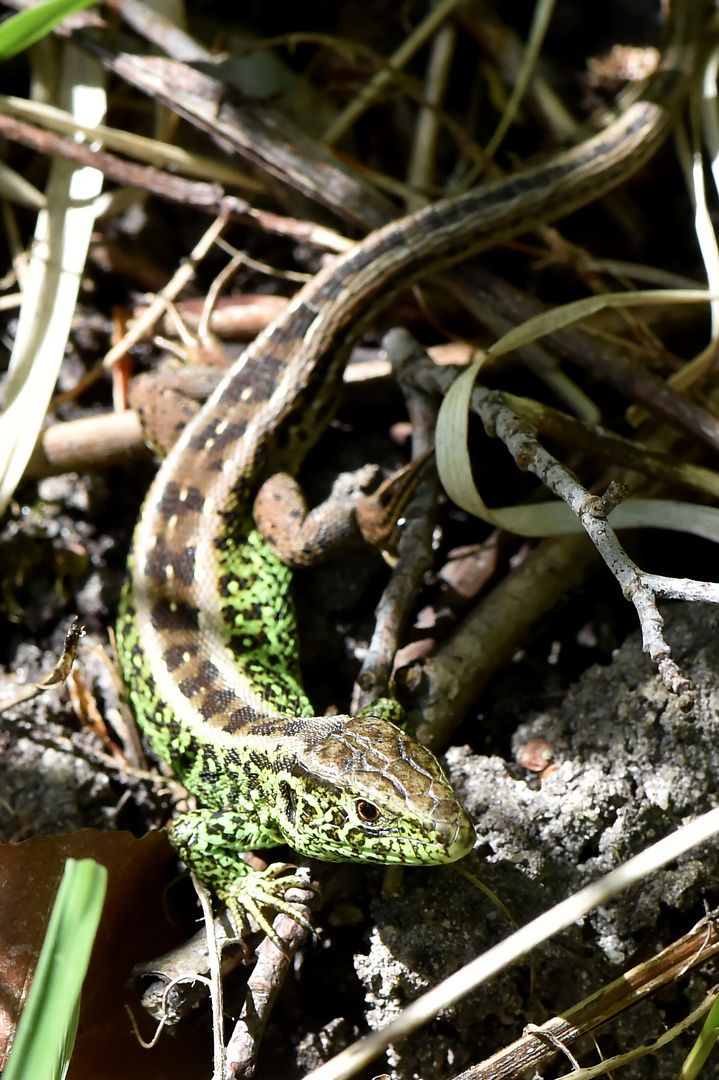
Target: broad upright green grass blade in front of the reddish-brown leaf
{"x":47,"y":1030}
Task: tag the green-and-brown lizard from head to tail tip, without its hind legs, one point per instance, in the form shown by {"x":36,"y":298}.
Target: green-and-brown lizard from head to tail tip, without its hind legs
{"x":207,"y":633}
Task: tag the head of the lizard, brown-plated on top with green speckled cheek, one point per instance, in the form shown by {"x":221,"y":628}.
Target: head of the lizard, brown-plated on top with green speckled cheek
{"x":368,"y":792}
